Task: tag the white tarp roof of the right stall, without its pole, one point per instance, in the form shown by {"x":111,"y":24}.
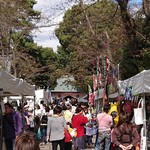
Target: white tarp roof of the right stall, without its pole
{"x":140,"y":83}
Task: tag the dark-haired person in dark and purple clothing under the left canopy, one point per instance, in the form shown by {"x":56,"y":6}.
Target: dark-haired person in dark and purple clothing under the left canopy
{"x":11,"y":125}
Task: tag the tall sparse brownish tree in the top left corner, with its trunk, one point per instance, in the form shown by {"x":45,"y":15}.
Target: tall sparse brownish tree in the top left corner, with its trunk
{"x":16,"y":25}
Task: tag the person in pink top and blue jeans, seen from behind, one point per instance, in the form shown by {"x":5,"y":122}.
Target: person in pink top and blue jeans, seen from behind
{"x":105,"y":122}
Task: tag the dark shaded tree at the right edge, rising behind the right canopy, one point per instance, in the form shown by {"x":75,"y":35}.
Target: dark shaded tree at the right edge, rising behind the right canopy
{"x":137,"y":31}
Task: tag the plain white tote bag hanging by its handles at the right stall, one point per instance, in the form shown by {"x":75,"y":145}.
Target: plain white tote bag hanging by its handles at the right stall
{"x":138,"y":113}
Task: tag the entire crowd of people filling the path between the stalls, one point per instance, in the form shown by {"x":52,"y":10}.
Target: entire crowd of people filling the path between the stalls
{"x":69,"y":126}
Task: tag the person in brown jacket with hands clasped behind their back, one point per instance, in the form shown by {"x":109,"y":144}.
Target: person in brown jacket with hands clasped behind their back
{"x":125,"y":135}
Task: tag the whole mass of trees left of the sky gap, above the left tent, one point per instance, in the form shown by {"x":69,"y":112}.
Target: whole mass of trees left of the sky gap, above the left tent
{"x":33,"y":63}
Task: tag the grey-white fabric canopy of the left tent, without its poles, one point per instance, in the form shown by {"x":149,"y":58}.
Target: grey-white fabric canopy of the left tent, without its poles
{"x":14,"y":86}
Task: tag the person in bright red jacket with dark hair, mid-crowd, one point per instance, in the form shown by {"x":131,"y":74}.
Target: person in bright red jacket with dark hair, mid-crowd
{"x":78,"y":122}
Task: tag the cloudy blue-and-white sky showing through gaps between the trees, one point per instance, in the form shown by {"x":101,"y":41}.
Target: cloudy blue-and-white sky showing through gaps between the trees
{"x":54,"y":10}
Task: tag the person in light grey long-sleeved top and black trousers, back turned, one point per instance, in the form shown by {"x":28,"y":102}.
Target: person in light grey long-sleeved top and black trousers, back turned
{"x":55,"y":129}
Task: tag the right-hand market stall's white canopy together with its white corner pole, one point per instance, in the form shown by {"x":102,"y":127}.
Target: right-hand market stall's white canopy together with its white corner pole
{"x":139,"y":85}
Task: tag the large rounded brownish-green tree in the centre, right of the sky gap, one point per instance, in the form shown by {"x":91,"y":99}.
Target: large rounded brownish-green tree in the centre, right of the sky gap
{"x":88,"y":31}
